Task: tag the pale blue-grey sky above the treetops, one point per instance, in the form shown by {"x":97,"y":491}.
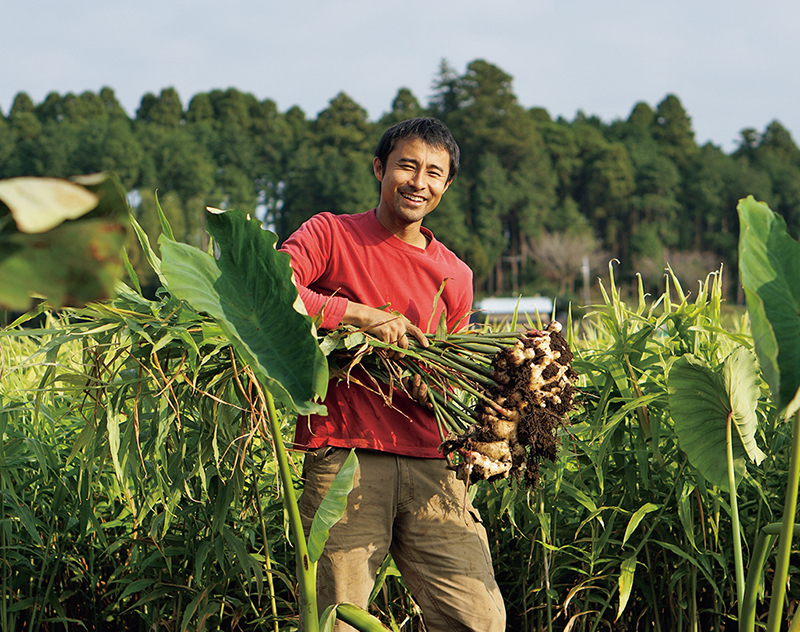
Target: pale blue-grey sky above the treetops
{"x":732,"y":63}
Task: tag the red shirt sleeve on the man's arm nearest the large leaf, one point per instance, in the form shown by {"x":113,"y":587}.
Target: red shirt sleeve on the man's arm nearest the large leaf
{"x":310,"y":249}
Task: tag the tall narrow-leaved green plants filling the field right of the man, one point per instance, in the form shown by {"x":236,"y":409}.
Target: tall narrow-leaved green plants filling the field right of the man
{"x":624,"y":533}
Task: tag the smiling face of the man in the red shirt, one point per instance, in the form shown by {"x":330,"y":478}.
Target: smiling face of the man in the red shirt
{"x":413,"y":181}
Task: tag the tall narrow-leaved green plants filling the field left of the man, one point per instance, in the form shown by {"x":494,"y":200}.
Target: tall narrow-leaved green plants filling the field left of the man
{"x":138,"y":491}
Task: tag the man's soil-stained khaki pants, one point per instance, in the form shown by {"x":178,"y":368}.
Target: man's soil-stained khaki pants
{"x":413,"y":508}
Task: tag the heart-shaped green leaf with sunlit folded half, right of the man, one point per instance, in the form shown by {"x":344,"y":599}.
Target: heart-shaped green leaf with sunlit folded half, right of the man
{"x":700,"y":401}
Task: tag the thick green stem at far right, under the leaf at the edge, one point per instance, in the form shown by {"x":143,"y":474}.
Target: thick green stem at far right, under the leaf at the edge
{"x":785,"y":539}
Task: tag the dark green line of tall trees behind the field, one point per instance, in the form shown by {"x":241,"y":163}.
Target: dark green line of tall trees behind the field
{"x":536,"y":199}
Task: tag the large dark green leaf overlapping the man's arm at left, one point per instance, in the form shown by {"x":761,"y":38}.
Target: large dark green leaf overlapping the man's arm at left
{"x":250,"y":294}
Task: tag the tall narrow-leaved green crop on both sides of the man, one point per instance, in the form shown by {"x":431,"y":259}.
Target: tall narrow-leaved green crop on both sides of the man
{"x":139,"y":492}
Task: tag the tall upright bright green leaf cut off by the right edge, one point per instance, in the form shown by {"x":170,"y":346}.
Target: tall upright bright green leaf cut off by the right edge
{"x":769,"y":268}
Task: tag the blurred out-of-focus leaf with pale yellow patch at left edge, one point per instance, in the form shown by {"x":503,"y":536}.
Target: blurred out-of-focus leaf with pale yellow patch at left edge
{"x":60,"y":240}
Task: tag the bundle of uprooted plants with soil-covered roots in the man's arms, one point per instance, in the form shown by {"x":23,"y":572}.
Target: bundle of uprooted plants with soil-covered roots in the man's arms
{"x":499,"y":398}
